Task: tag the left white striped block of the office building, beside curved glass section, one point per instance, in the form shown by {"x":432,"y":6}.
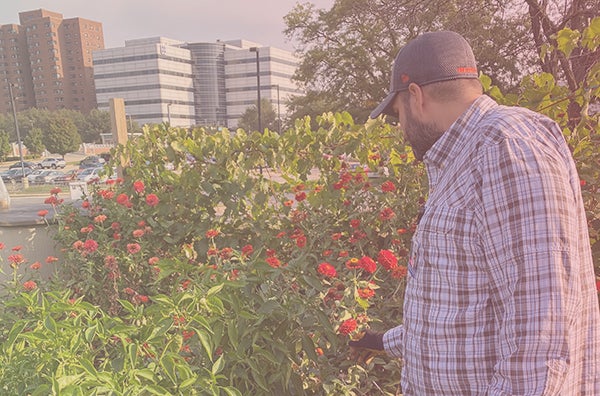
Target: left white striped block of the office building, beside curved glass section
{"x":154,"y":78}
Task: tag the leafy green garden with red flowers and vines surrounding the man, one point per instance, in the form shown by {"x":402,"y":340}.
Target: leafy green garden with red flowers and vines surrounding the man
{"x":238,"y":263}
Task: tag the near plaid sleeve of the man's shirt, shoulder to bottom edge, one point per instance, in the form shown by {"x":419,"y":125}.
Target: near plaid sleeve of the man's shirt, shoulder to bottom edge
{"x":529,"y":231}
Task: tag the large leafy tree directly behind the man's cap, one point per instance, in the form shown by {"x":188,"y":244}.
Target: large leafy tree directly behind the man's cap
{"x":347,"y":51}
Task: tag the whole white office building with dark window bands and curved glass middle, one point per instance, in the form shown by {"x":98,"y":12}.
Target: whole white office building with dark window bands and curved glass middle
{"x":192,"y":83}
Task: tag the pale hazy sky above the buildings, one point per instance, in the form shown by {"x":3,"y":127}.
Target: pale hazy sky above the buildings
{"x":260,"y":21}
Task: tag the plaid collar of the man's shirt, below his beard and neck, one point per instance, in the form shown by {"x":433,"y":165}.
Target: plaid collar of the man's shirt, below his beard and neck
{"x":453,"y":141}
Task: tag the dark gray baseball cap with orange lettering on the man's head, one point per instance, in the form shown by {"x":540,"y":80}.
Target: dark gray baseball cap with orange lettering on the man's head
{"x":429,"y":58}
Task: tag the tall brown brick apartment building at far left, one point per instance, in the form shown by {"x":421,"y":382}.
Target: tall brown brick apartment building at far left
{"x":48,"y":61}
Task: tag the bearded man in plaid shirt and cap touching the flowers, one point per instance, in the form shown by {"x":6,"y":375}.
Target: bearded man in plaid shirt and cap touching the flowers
{"x":501,"y":296}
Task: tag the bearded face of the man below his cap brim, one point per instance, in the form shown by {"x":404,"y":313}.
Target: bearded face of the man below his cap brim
{"x":421,"y":135}
